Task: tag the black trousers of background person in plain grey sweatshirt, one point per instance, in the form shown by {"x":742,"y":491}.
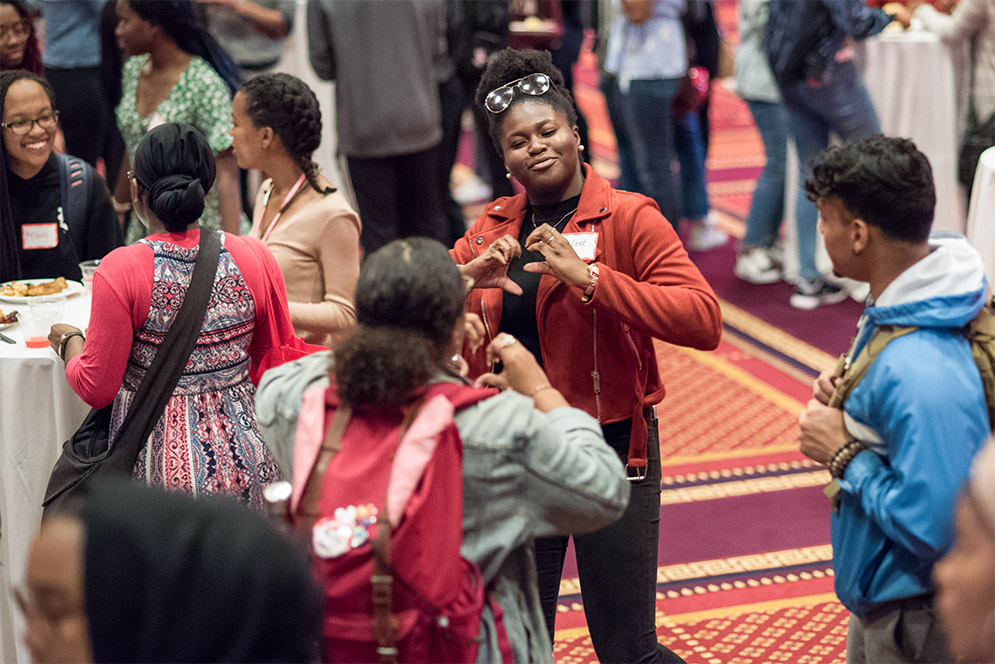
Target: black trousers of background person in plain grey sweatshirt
{"x":397,"y":196}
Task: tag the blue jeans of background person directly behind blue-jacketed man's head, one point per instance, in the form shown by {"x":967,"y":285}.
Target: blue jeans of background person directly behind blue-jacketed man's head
{"x":841,"y":105}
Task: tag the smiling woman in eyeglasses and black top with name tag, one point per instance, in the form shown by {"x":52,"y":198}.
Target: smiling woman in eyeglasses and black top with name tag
{"x":43,"y":233}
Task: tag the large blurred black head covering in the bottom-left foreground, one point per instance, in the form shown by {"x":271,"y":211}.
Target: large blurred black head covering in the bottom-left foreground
{"x":172,"y":579}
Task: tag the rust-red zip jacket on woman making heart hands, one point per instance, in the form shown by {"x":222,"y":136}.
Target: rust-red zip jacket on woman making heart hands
{"x":600,"y":354}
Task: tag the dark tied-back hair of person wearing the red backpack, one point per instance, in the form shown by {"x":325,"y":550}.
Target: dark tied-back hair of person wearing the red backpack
{"x":409,"y":298}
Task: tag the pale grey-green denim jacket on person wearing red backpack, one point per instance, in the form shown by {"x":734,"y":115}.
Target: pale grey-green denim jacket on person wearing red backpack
{"x":526,"y":474}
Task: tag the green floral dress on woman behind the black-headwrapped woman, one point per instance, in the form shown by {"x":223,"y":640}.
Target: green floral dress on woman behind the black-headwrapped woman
{"x":199,"y":98}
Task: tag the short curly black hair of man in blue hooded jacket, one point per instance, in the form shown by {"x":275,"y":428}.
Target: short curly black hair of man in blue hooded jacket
{"x":884,"y":180}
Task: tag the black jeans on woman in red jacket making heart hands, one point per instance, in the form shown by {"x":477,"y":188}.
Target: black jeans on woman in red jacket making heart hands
{"x":617,"y":569}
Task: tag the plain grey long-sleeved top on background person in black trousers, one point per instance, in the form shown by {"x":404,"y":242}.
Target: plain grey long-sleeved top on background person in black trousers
{"x":381,"y":55}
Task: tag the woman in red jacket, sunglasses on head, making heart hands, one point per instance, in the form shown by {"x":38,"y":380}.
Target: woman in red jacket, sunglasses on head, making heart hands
{"x":586,"y":276}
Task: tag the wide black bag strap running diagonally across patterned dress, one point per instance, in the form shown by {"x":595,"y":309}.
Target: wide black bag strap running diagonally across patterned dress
{"x":171,"y":358}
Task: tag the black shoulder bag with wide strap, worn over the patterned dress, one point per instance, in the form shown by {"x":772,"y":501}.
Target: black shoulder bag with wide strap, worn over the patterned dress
{"x":88,"y":453}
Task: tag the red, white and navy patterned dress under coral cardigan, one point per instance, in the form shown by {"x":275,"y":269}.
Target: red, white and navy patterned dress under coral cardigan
{"x":207,"y":441}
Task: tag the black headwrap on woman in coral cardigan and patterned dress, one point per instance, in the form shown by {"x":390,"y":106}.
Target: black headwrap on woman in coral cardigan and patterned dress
{"x":176,"y":165}
